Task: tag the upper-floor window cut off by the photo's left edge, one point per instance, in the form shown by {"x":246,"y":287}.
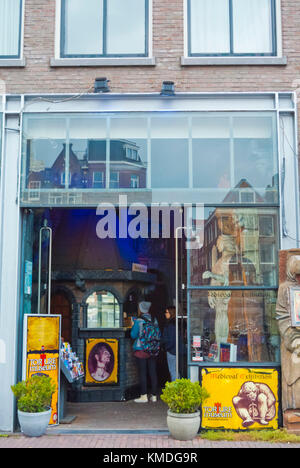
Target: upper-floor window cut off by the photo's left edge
{"x":10,"y":28}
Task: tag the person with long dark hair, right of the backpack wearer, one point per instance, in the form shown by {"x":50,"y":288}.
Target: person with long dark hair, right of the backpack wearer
{"x":169,"y":340}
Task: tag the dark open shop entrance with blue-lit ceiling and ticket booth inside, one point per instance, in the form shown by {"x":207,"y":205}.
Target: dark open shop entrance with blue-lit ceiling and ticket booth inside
{"x":96,"y":285}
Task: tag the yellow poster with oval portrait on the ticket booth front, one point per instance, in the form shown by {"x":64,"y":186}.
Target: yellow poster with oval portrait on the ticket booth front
{"x":101,"y":361}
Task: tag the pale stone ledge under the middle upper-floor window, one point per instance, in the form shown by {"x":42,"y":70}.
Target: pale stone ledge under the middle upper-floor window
{"x":103,"y":62}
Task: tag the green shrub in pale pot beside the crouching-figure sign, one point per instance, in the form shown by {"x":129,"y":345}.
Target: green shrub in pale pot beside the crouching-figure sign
{"x":183,"y":398}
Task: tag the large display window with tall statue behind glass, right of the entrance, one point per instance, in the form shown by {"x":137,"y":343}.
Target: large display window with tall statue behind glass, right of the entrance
{"x":232,"y":282}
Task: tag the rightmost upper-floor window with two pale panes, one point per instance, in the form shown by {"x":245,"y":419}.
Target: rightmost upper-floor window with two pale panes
{"x":232,"y":27}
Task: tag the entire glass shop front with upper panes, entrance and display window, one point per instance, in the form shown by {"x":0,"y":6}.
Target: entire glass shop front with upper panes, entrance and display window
{"x":227,"y":162}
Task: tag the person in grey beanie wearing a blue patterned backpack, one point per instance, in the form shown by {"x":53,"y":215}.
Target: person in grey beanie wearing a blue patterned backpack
{"x":145,"y":359}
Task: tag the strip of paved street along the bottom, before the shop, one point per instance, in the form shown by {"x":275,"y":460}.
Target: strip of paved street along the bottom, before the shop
{"x":105,"y":441}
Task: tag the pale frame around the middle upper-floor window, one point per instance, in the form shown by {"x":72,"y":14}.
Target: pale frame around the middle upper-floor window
{"x":105,"y":55}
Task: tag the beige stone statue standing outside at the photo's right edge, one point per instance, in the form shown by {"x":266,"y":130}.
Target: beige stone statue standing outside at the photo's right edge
{"x":290,"y":339}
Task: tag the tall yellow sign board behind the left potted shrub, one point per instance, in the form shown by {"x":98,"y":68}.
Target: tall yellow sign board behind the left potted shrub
{"x":41,"y":352}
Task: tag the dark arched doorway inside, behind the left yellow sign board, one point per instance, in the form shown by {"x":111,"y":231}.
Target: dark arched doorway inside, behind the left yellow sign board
{"x":61,"y":305}
